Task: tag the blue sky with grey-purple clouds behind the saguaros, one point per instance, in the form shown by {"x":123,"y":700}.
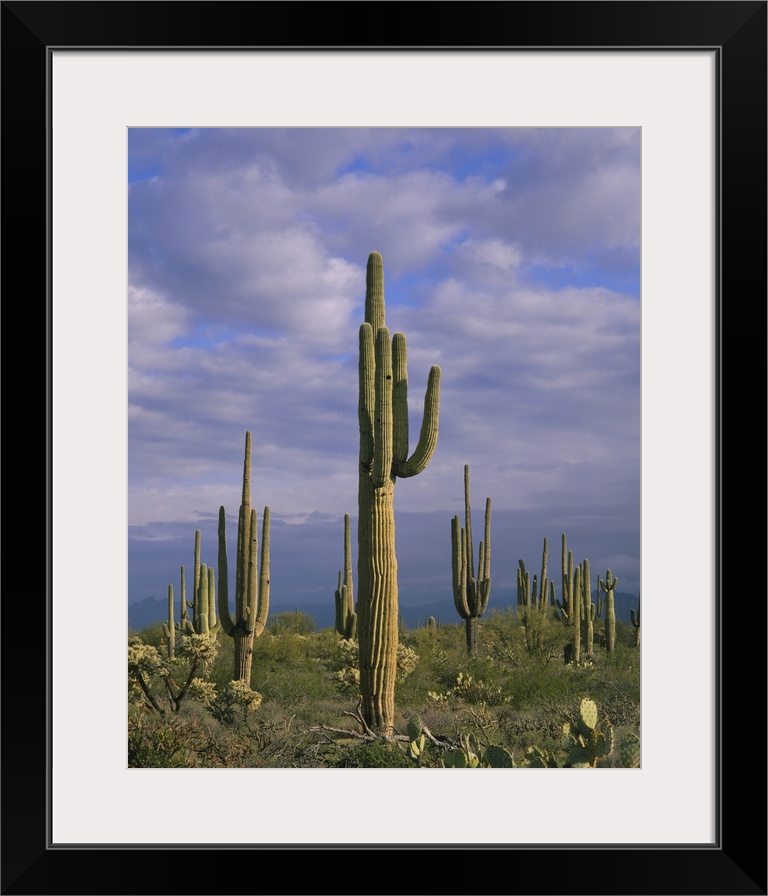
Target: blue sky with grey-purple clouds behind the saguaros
{"x":511,"y":259}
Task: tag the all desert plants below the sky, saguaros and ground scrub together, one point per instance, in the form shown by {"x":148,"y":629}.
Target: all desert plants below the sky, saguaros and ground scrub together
{"x":532,"y":692}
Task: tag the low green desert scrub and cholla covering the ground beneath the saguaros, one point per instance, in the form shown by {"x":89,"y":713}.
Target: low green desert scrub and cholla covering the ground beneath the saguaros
{"x":505,"y":706}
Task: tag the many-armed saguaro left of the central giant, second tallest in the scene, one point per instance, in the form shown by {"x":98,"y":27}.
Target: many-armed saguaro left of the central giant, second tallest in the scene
{"x":251,"y":583}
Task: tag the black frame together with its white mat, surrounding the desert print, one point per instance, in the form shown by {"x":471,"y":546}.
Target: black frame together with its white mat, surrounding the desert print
{"x":687,"y":83}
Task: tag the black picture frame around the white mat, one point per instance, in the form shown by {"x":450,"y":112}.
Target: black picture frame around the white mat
{"x":736,"y":864}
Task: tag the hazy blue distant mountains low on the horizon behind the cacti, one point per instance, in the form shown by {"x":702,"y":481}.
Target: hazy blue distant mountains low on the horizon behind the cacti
{"x":151,"y":611}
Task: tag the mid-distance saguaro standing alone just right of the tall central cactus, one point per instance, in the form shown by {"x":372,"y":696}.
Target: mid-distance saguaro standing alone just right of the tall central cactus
{"x":470,"y":593}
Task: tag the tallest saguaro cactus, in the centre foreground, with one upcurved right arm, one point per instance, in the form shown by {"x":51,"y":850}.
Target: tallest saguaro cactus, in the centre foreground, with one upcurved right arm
{"x":383,"y":421}
